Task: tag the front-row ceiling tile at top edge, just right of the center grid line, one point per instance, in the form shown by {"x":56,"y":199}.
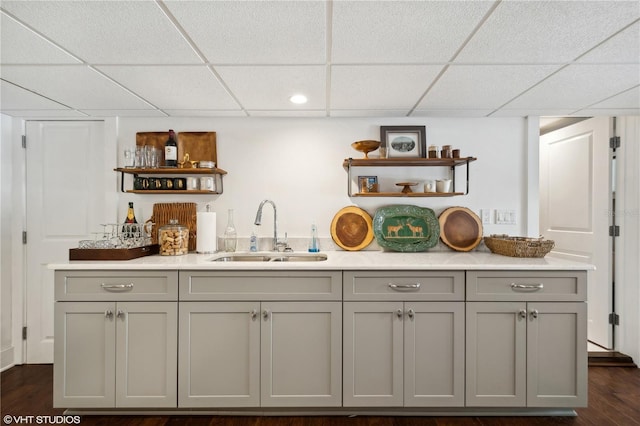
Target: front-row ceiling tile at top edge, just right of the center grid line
{"x":402,"y":31}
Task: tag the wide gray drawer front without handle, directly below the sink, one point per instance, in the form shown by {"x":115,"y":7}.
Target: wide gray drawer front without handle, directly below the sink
{"x":260,"y":285}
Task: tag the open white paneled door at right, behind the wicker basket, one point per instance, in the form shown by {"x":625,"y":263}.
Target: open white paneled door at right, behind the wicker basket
{"x":575,"y":207}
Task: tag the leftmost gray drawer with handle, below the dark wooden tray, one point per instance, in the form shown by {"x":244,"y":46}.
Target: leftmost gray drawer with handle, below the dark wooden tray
{"x":116,"y":285}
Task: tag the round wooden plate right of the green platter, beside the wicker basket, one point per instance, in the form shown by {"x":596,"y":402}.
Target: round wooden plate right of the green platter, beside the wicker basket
{"x":460,"y":228}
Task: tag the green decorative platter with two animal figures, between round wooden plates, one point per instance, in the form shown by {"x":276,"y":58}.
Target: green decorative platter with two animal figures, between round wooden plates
{"x":406,"y":228}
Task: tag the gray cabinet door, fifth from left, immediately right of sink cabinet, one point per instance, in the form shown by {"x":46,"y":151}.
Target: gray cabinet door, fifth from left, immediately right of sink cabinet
{"x":373,"y":354}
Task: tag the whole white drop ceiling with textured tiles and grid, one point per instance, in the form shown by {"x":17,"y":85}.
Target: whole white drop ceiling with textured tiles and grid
{"x":72,"y":59}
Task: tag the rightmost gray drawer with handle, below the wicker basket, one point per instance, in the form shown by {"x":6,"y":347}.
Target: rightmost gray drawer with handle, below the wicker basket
{"x":559,"y":286}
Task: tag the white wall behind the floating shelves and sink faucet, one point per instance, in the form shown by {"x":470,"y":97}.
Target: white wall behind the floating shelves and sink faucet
{"x":297,"y":163}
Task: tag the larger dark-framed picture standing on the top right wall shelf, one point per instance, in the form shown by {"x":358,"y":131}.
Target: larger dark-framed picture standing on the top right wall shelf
{"x":404,"y":141}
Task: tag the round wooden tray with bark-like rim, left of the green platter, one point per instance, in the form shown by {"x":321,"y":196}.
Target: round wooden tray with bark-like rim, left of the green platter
{"x":352,"y":228}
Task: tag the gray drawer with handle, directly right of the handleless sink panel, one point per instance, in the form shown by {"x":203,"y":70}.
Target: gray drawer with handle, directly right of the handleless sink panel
{"x":404,"y":285}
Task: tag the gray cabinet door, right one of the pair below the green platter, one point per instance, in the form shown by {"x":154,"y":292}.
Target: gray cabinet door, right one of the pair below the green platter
{"x":434,"y":354}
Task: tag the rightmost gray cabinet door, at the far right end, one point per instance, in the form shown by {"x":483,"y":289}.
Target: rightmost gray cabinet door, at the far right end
{"x":557,"y":355}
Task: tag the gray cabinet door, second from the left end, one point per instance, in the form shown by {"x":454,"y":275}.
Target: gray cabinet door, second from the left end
{"x":146,"y":354}
